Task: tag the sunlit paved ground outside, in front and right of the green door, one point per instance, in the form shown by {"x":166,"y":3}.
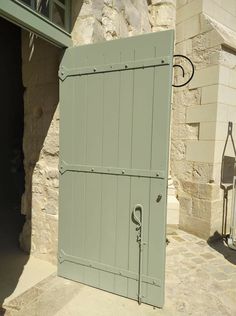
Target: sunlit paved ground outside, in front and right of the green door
{"x":200,"y":280}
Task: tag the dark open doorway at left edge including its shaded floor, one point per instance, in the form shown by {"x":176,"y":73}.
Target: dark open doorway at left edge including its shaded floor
{"x":11,"y":155}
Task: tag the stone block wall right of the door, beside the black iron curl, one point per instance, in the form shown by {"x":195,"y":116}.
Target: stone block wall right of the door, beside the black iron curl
{"x":197,"y":134}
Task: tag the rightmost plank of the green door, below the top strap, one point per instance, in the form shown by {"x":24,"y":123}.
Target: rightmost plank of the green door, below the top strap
{"x":160,"y":138}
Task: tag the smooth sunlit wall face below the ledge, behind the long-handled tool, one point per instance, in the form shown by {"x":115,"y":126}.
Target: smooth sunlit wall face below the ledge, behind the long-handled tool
{"x":226,"y":111}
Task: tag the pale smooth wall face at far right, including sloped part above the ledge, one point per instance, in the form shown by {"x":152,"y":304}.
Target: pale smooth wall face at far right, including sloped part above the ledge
{"x":223,"y":19}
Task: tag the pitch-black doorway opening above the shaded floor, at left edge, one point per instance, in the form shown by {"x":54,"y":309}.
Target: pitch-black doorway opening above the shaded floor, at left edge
{"x":11,"y":128}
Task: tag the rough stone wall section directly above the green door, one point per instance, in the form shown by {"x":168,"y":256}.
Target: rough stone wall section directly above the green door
{"x":110,"y":19}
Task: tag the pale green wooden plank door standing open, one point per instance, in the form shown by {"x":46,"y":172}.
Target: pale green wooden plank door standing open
{"x":114,"y":138}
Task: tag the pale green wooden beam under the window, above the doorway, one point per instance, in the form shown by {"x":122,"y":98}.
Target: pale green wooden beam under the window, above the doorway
{"x":26,"y":18}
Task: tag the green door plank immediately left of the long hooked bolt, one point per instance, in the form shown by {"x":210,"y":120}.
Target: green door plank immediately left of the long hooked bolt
{"x":124,"y":184}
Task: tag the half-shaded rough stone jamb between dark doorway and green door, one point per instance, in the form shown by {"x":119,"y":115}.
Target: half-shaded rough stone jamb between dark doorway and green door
{"x":41,"y":146}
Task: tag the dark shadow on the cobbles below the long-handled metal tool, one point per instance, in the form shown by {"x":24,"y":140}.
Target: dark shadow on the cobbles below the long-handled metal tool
{"x":218,"y":243}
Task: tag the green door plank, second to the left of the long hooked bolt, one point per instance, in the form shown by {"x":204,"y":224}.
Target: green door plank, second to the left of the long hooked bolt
{"x":111,"y":101}
